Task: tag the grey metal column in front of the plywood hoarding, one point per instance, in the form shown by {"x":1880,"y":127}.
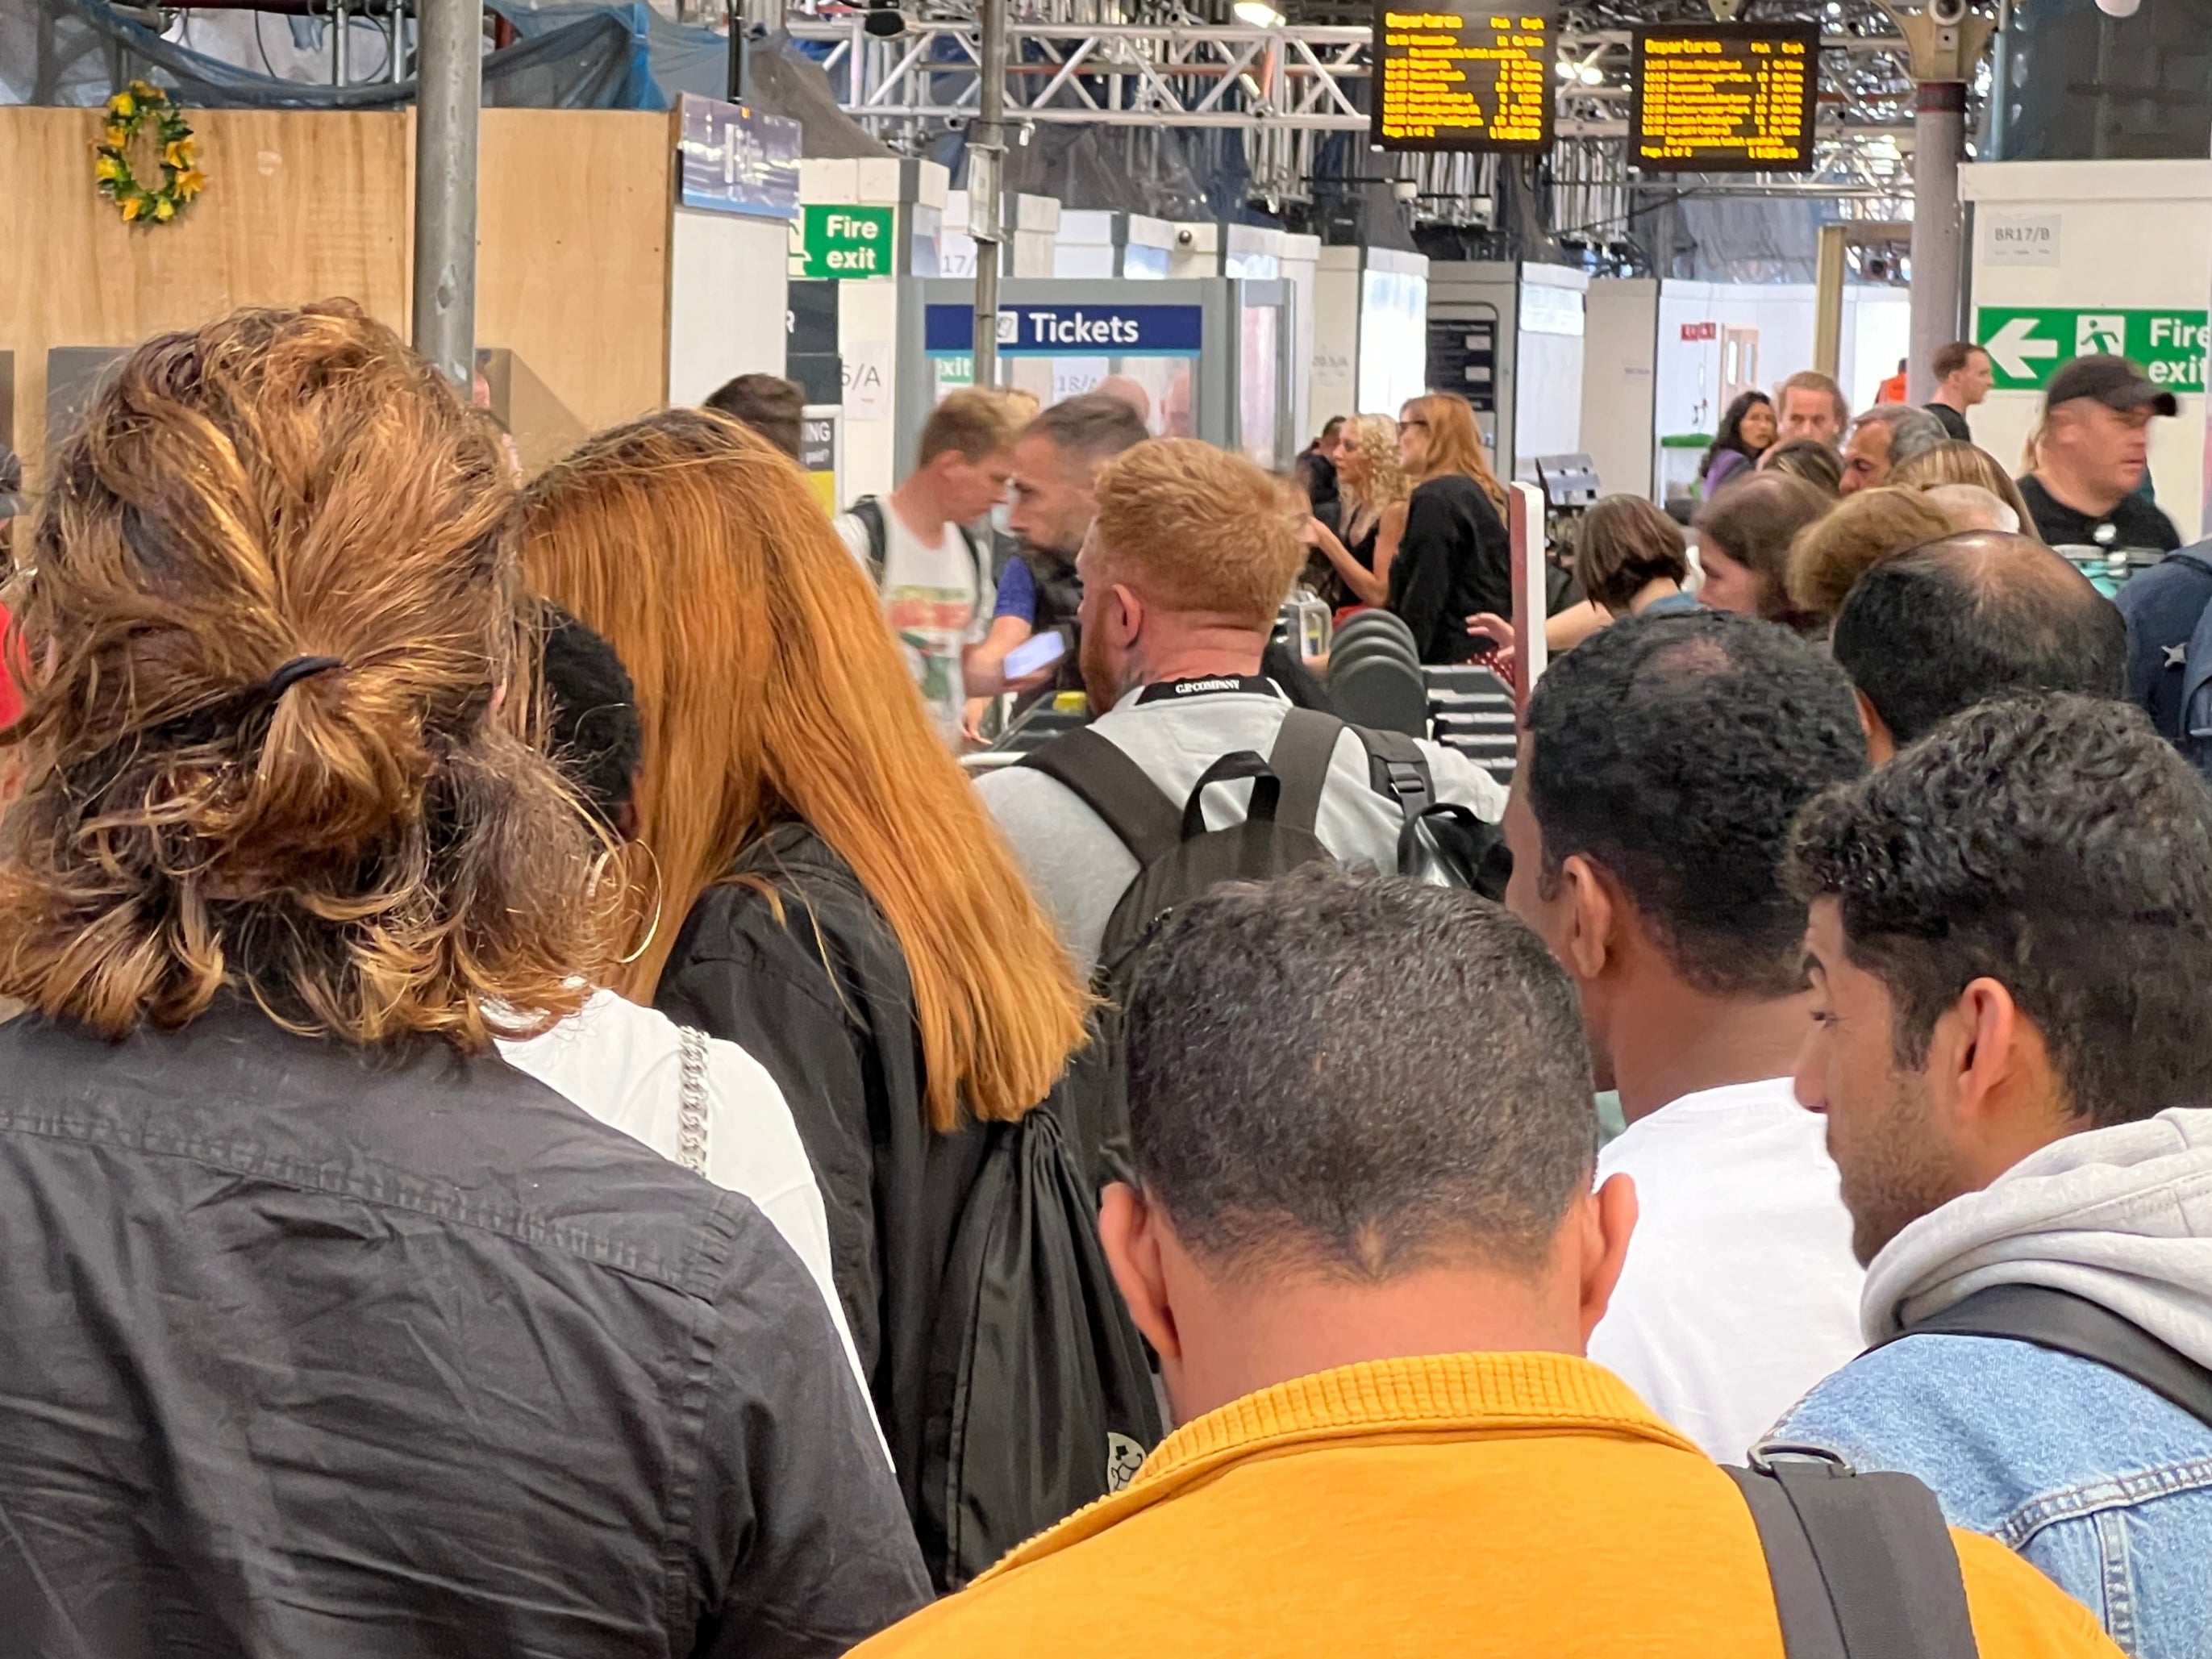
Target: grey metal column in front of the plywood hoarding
{"x":450,"y":83}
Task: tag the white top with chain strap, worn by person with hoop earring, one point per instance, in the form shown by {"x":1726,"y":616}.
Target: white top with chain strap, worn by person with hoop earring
{"x":625,"y":1065}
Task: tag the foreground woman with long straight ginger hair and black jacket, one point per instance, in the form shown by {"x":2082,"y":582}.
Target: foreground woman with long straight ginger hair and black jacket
{"x":835,"y":897}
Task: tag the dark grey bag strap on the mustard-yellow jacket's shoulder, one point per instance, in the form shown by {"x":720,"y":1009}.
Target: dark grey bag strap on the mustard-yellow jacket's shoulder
{"x":1864,"y":1565}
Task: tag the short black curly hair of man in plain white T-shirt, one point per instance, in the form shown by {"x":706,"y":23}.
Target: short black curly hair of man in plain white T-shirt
{"x":1676,"y":751}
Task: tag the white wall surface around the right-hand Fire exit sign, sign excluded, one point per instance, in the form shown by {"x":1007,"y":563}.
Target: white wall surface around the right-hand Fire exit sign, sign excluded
{"x":2133,"y":236}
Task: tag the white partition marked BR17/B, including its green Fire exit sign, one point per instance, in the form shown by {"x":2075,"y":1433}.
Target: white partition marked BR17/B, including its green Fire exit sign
{"x":2078,"y":258}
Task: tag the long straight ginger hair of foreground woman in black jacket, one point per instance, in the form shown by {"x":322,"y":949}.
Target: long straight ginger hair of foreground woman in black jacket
{"x":771,"y":689}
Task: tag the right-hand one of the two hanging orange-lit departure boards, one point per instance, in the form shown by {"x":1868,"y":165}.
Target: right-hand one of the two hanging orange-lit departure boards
{"x":1724,"y":98}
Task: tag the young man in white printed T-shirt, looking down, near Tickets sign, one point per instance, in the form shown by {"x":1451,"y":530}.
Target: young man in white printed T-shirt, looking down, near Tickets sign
{"x":932,"y":572}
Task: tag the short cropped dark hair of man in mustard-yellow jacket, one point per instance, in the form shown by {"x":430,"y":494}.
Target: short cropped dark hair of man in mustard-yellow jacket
{"x":1357,"y":1076}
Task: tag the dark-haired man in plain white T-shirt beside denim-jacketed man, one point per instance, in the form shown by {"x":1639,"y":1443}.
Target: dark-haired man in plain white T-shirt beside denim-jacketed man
{"x":1662,"y":764}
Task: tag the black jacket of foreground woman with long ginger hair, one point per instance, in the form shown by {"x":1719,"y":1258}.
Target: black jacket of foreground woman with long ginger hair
{"x":824,"y":1001}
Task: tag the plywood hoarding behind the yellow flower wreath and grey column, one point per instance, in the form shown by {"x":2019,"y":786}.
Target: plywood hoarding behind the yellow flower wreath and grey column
{"x":315,"y":205}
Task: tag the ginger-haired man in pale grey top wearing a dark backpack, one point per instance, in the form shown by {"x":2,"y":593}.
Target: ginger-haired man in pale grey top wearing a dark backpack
{"x":1185,"y":570}
